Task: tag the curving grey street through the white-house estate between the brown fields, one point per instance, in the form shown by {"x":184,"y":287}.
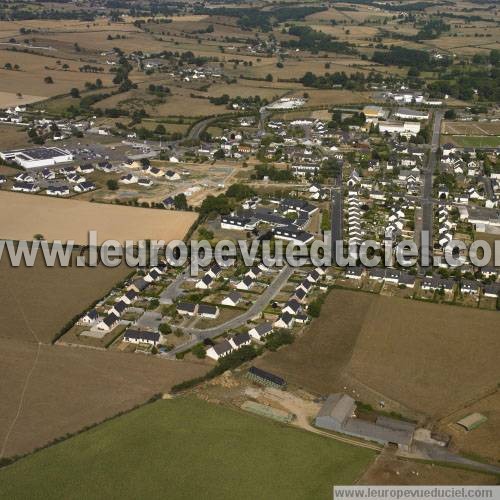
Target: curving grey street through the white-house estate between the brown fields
{"x":257,"y":307}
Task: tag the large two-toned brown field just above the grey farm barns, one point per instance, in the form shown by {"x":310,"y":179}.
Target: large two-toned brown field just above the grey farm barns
{"x":395,"y":349}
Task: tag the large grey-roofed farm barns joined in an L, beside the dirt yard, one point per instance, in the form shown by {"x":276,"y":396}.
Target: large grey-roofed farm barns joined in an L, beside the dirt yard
{"x":338,"y":413}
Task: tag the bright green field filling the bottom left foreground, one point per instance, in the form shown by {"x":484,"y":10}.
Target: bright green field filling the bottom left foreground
{"x":186,"y":448}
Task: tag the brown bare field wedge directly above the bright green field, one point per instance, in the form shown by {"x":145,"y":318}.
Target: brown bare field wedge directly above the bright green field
{"x":70,"y":388}
